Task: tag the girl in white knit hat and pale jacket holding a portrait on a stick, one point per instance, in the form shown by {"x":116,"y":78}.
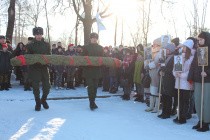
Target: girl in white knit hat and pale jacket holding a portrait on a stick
{"x":184,"y":86}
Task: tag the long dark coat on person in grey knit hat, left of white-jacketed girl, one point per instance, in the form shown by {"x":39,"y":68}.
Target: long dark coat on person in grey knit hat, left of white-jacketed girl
{"x":168,"y":80}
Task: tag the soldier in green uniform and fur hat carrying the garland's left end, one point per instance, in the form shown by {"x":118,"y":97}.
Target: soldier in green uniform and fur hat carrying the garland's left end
{"x":38,"y":72}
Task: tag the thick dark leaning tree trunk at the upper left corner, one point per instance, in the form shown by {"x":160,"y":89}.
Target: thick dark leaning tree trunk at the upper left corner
{"x":11,"y":20}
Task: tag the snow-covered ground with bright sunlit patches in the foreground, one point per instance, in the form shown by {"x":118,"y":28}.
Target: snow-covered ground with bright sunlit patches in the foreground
{"x":72,"y":120}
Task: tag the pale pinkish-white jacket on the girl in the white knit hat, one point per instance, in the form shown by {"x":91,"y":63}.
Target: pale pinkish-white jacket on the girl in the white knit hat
{"x":184,"y":83}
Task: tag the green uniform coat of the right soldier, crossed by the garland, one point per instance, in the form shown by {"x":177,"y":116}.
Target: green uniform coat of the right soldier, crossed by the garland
{"x":92,"y":72}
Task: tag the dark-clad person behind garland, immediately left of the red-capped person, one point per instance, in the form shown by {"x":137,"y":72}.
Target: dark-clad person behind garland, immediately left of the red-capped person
{"x":59,"y":71}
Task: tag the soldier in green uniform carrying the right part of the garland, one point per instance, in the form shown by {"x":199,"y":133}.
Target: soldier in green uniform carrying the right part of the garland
{"x":92,"y":74}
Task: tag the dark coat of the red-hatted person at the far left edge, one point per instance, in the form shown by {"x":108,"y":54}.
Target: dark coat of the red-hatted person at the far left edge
{"x":5,"y":65}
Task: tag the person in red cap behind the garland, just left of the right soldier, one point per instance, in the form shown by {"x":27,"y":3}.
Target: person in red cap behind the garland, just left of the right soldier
{"x":70,"y":70}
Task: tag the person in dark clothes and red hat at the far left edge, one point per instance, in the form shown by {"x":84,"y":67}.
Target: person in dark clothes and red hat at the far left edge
{"x":5,"y":67}
